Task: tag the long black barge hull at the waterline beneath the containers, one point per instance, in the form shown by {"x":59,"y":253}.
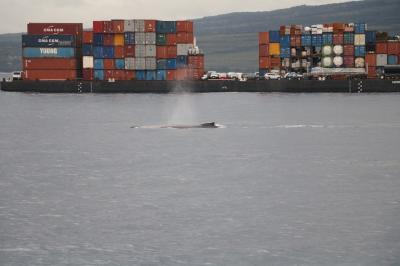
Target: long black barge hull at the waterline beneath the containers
{"x":290,"y":86}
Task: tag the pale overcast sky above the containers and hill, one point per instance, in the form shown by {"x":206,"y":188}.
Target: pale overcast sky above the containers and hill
{"x":14,"y":15}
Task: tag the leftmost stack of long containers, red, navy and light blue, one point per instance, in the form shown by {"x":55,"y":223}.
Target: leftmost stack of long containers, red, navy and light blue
{"x":52,"y":51}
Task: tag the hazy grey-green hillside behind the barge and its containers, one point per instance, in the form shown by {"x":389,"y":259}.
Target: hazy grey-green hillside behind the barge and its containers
{"x":230,"y":40}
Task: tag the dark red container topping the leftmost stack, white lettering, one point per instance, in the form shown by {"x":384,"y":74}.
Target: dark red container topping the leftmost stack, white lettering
{"x":55,"y":28}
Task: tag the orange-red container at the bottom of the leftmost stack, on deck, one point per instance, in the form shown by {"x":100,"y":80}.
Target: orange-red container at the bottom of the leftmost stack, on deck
{"x":50,"y":74}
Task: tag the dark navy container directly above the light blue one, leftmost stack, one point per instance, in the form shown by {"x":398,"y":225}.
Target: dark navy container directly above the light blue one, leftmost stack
{"x":48,"y":41}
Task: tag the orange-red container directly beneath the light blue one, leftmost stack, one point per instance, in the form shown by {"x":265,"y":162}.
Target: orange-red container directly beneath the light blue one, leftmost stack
{"x":49,"y":63}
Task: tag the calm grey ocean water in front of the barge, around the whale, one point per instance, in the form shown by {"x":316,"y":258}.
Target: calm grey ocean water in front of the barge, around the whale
{"x":291,"y":179}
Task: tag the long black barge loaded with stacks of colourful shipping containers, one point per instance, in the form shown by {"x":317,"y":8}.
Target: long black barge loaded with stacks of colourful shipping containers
{"x":161,"y":57}
